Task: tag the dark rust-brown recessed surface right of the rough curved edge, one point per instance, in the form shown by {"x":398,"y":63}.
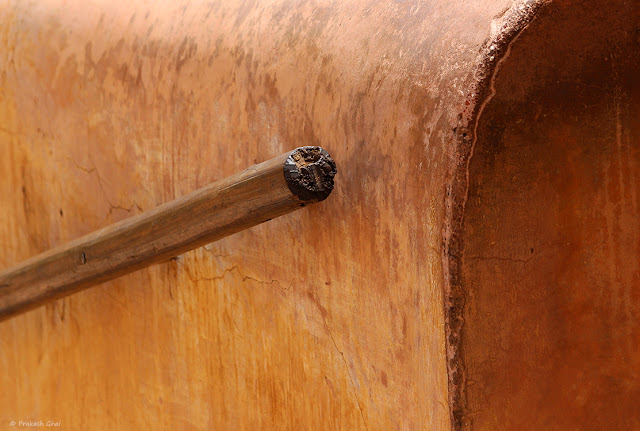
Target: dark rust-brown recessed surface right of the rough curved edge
{"x":551,"y":237}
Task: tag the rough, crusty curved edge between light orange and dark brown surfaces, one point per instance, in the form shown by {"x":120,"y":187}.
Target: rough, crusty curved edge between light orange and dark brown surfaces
{"x":507,"y":29}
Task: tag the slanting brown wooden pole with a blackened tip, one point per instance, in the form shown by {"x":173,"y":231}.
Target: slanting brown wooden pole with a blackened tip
{"x":258,"y":194}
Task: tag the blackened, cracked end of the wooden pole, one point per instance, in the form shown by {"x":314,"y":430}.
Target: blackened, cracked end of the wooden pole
{"x":309,"y":173}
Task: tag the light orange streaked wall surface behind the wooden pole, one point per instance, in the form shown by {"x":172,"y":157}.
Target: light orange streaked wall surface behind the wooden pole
{"x":112,"y":108}
